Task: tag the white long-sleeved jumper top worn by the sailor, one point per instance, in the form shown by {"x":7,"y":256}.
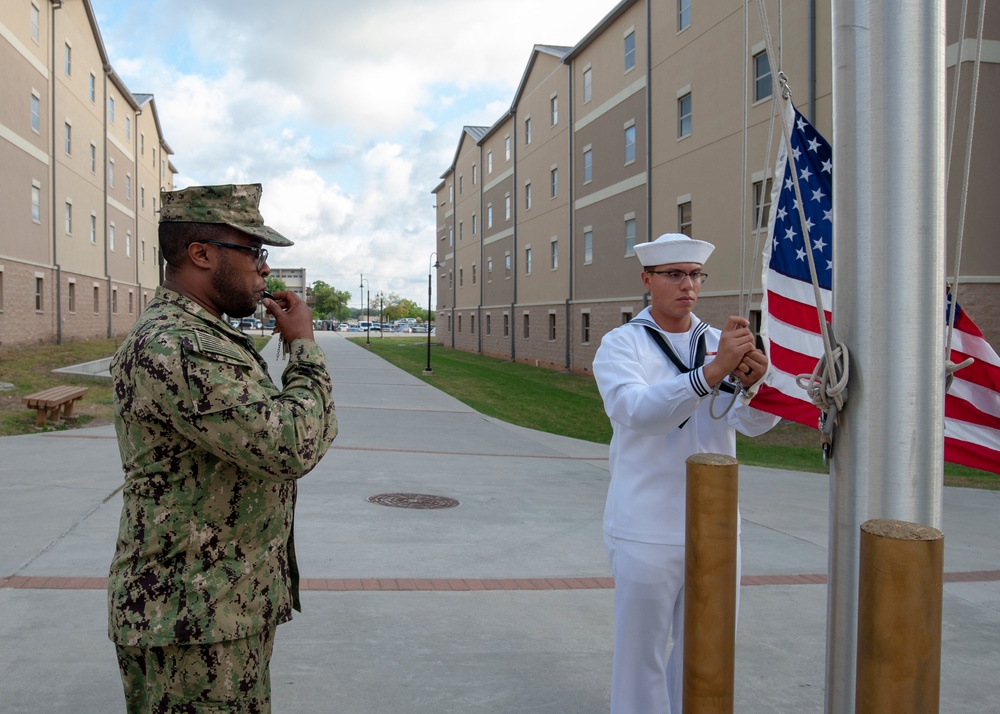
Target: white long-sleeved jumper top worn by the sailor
{"x":648,"y":399}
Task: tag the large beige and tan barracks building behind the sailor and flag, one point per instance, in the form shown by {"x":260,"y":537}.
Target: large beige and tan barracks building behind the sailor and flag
{"x":636,"y":131}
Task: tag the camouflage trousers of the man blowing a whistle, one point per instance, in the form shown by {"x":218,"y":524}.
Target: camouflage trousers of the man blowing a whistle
{"x":219,"y":678}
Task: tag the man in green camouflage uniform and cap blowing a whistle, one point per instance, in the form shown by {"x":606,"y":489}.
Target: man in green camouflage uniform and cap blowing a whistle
{"x":204,"y":568}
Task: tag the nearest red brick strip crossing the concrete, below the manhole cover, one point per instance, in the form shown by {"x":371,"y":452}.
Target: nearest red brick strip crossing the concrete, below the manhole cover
{"x":22,"y":582}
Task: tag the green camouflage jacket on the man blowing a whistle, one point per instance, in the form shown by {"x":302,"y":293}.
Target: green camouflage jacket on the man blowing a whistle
{"x":211,"y":450}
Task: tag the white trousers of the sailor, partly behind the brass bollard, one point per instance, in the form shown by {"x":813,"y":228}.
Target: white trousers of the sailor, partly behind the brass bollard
{"x":649,"y":613}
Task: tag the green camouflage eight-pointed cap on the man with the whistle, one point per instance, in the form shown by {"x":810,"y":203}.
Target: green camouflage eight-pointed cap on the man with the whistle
{"x":233,"y":204}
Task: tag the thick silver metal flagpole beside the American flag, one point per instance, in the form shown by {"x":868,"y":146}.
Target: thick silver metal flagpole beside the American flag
{"x":888,"y":288}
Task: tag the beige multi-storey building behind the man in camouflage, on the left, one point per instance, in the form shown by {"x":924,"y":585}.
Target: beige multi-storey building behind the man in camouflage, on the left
{"x":82,"y":163}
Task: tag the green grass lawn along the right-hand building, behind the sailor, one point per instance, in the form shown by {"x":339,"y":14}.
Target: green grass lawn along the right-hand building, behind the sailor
{"x":570,"y":405}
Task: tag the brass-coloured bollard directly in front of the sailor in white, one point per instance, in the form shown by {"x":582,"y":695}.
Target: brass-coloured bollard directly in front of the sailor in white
{"x":710,"y":584}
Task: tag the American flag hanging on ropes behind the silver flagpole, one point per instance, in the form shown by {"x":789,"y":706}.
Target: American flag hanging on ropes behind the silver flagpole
{"x":790,"y":326}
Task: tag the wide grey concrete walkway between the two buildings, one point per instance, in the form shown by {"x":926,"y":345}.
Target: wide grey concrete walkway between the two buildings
{"x":500,"y":604}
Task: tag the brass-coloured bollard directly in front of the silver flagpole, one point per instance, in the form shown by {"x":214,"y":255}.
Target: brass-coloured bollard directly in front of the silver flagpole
{"x":899,"y":618}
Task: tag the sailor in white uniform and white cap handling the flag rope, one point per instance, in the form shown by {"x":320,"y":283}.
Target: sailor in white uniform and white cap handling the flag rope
{"x":655,"y":375}
